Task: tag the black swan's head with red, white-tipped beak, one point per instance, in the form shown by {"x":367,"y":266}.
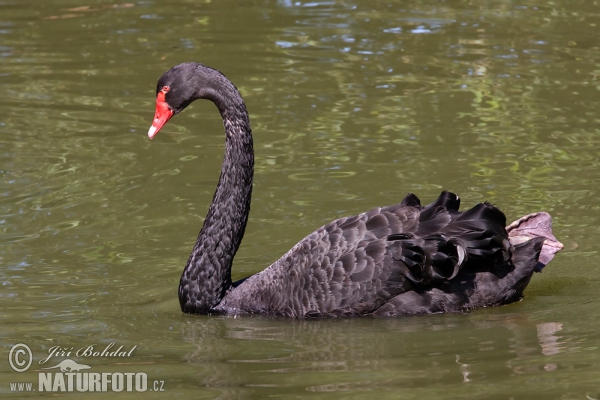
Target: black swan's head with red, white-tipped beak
{"x":184,"y":83}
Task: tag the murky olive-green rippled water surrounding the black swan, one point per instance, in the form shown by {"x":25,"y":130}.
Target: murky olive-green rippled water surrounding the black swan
{"x":353,"y":104}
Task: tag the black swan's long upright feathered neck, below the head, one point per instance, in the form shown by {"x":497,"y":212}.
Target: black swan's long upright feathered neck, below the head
{"x":207,"y":275}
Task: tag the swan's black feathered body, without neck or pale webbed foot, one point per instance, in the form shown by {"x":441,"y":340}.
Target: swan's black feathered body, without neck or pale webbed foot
{"x":361,"y":264}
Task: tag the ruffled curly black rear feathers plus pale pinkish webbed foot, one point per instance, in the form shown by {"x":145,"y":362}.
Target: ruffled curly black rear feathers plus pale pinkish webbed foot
{"x":445,"y":239}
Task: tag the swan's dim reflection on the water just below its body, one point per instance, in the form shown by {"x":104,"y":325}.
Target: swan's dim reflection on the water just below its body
{"x":363,"y":356}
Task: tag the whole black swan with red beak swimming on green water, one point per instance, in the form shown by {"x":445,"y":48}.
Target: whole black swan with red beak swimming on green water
{"x":403,"y":259}
